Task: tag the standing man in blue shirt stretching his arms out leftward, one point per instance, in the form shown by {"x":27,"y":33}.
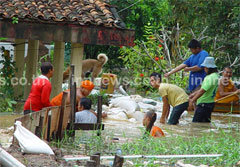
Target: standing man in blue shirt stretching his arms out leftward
{"x":193,"y":64}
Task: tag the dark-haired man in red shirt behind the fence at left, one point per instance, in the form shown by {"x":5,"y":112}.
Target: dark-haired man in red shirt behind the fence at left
{"x":40,"y":91}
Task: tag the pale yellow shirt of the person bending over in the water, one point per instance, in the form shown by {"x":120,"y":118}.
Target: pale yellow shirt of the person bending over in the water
{"x":175,"y":94}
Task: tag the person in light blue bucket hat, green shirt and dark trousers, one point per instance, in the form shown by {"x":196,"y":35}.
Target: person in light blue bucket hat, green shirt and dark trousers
{"x":204,"y":97}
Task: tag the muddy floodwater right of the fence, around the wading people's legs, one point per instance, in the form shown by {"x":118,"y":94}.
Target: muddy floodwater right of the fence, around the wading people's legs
{"x":227,"y":122}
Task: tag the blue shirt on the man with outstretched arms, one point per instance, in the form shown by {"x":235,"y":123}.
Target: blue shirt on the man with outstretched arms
{"x":196,"y":78}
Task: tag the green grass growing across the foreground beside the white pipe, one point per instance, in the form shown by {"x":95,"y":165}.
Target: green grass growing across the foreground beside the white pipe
{"x":88,"y":143}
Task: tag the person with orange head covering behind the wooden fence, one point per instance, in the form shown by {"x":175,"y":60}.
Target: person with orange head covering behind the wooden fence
{"x":83,"y":91}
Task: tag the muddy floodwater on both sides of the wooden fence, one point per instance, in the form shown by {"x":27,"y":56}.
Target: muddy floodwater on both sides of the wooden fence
{"x":130,"y":130}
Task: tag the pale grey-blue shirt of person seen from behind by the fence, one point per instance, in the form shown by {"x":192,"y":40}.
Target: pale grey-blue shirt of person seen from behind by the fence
{"x":85,"y":116}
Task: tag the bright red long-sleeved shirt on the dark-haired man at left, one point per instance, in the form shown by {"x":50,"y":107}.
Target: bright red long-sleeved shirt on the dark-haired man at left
{"x":39,"y":94}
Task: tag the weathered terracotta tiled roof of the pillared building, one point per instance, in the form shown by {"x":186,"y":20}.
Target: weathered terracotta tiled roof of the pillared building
{"x":81,"y":12}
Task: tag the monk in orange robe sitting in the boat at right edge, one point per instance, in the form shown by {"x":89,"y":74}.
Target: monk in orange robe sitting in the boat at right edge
{"x":226,"y":87}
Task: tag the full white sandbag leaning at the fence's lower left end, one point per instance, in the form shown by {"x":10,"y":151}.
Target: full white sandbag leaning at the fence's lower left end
{"x":29,"y":142}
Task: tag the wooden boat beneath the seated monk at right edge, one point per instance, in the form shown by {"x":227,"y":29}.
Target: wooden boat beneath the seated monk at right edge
{"x":227,"y":108}
